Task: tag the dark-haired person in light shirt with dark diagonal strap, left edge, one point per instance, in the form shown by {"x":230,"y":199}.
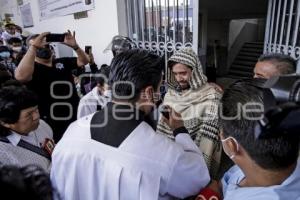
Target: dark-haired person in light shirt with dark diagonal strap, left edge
{"x":24,"y":138}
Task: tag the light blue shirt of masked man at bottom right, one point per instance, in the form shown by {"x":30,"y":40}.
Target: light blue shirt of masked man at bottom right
{"x":289,"y":189}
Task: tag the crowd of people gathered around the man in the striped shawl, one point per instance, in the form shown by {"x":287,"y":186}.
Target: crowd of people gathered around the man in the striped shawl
{"x":70,"y":134}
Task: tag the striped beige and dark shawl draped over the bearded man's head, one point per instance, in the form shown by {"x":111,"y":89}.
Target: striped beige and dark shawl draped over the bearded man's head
{"x":198,"y":107}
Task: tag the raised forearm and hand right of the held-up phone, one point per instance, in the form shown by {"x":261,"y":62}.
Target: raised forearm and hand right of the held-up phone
{"x":82,"y":57}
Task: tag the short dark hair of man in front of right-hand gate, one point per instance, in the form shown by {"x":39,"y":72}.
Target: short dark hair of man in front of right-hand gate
{"x":284,"y":63}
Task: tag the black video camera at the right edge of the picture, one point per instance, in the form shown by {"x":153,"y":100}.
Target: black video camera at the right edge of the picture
{"x":282,"y":107}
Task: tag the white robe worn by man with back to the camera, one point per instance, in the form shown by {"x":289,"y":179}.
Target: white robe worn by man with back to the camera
{"x":146,"y":166}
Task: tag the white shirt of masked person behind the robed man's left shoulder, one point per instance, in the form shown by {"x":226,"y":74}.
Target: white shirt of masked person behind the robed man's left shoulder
{"x":88,"y":103}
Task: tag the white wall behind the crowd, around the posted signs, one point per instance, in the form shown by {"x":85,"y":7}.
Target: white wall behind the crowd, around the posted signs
{"x":97,"y":30}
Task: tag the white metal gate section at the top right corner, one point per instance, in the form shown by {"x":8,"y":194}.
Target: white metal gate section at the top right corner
{"x":282,"y":28}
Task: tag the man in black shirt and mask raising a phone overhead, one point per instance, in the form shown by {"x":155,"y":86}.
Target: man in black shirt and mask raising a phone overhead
{"x":52,"y":80}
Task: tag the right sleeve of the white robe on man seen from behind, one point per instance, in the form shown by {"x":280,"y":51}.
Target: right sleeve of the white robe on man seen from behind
{"x":190,"y":173}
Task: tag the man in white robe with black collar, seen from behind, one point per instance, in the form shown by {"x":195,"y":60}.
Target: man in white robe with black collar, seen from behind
{"x":115,"y":153}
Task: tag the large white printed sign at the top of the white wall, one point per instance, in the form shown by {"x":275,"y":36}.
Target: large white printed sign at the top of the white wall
{"x":54,"y":8}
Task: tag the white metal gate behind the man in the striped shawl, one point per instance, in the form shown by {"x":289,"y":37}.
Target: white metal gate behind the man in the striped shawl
{"x":163,"y":26}
